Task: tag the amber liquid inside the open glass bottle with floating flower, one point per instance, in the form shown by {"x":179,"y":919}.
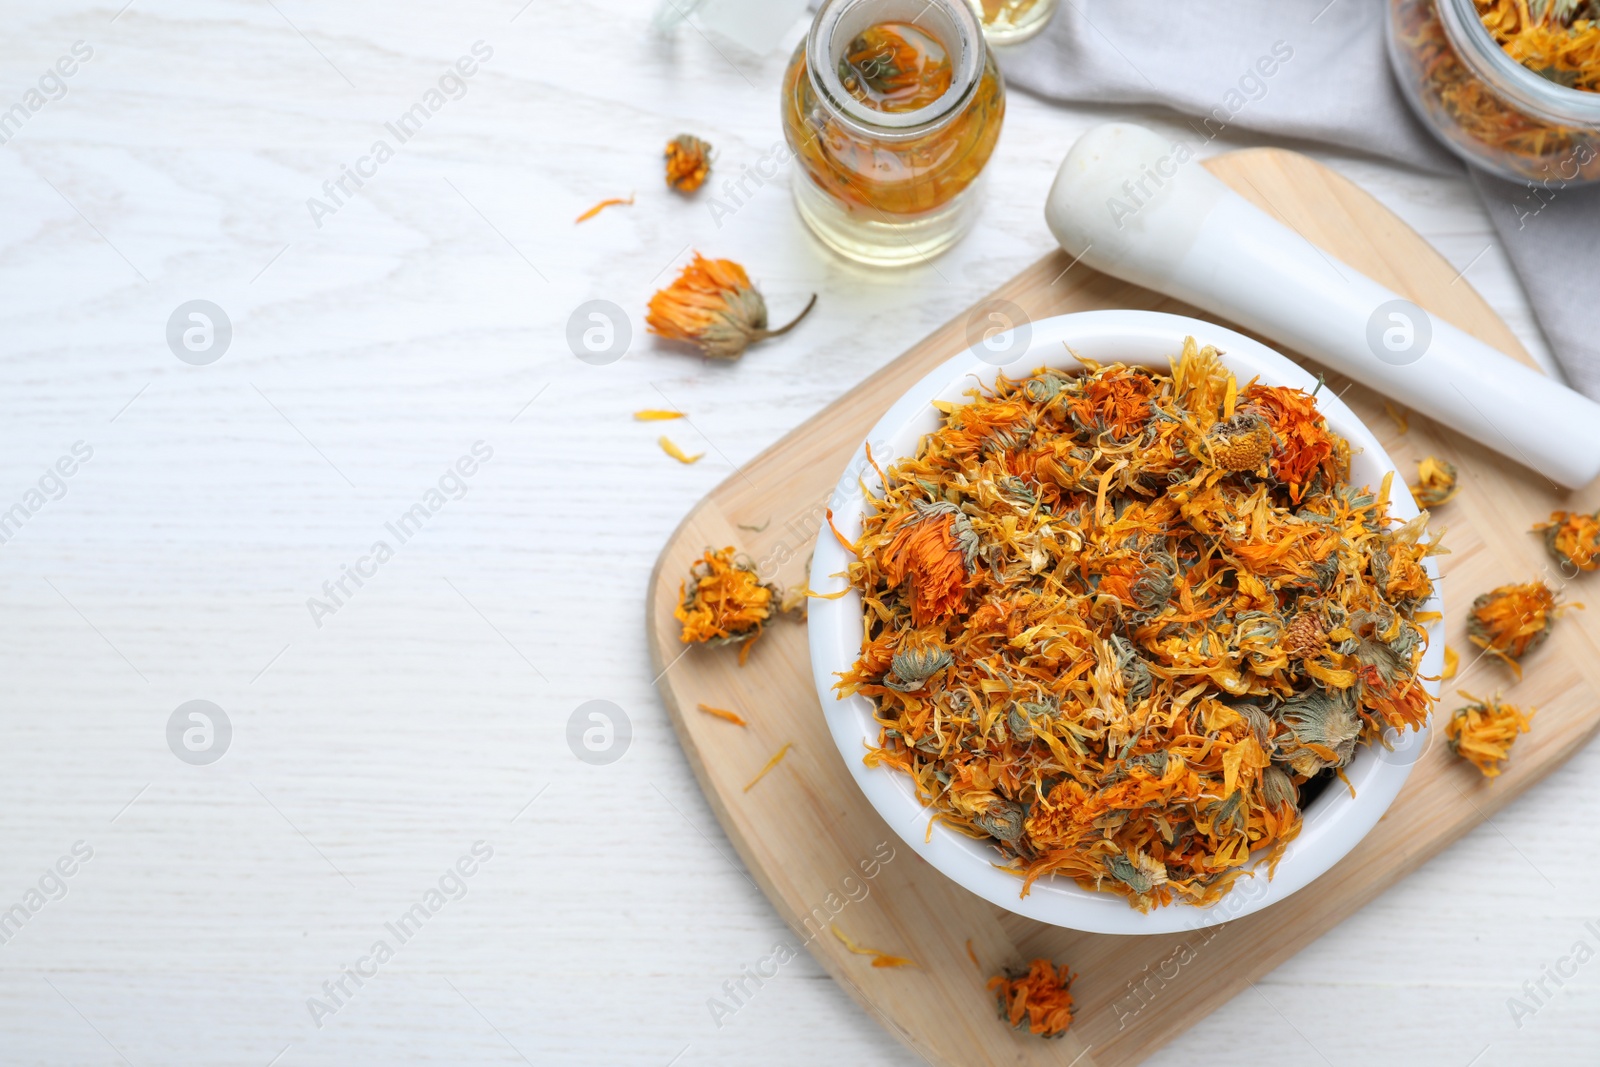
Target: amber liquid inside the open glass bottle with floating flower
{"x":894,"y":68}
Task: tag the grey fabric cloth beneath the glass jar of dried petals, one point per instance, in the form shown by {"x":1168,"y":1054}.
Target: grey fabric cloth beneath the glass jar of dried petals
{"x":1314,"y":71}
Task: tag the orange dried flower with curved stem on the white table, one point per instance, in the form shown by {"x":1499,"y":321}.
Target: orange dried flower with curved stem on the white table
{"x":714,"y":308}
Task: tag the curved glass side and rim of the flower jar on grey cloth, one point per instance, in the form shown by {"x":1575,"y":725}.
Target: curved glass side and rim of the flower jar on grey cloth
{"x":1486,"y":106}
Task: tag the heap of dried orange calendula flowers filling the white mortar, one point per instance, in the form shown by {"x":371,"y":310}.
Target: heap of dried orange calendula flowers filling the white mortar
{"x":1118,"y":621}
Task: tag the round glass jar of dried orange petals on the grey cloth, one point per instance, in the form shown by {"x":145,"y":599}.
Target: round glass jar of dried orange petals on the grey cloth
{"x":1510,"y":86}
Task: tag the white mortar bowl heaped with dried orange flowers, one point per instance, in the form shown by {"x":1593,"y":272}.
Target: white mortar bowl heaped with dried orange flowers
{"x":1127,"y":625}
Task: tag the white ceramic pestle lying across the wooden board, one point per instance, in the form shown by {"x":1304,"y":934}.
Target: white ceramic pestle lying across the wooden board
{"x":1142,"y":209}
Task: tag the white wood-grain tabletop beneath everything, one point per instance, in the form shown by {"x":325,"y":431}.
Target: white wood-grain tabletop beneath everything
{"x":430,"y":708}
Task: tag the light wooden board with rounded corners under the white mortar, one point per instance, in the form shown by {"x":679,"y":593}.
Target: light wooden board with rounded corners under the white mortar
{"x":812,"y":841}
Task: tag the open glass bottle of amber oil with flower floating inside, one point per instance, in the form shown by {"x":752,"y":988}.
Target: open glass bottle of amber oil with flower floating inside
{"x":892,"y":110}
